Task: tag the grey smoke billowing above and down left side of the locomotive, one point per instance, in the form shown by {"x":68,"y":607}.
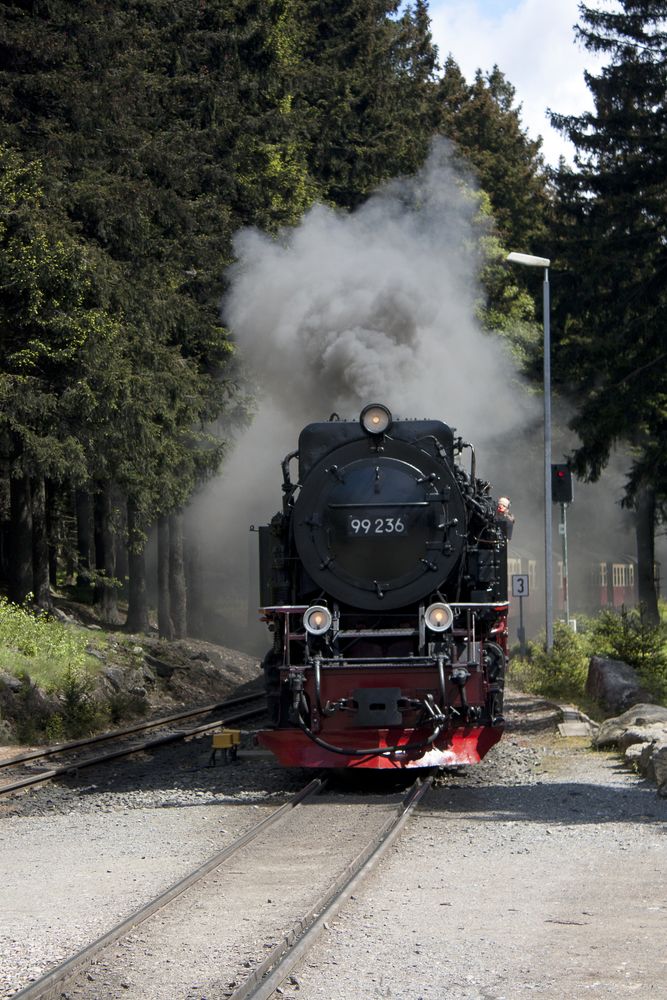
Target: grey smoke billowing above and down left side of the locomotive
{"x":349,"y":308}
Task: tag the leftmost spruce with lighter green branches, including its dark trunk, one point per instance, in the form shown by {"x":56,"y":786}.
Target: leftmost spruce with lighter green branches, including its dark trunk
{"x":48,"y":319}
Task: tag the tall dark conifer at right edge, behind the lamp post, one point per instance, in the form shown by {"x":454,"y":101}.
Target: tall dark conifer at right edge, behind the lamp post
{"x":612,"y":227}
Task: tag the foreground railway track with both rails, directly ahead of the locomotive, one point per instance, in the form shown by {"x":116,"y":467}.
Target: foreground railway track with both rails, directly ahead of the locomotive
{"x":238,"y":931}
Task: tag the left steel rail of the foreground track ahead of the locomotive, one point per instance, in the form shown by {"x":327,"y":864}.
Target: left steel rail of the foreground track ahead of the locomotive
{"x":49,"y":986}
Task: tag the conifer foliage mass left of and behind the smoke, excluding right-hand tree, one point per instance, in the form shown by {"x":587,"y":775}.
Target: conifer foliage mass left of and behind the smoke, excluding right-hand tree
{"x":136,"y":138}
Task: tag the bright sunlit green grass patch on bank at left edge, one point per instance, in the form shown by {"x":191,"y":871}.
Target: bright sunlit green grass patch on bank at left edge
{"x":39,"y":646}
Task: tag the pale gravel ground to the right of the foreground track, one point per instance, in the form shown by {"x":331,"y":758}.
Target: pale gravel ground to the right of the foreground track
{"x":543,"y":873}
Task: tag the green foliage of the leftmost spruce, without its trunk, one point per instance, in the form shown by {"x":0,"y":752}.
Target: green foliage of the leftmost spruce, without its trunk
{"x":46,"y":318}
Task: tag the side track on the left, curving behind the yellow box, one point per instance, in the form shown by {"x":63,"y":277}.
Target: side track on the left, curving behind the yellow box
{"x":236,"y":710}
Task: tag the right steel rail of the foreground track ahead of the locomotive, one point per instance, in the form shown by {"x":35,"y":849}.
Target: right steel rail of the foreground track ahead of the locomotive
{"x":297,"y":942}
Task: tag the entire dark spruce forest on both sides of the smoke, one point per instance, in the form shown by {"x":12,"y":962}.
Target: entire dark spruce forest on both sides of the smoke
{"x":138,"y":136}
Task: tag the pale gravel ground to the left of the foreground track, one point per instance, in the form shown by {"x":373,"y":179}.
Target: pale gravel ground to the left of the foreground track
{"x":78,"y":856}
